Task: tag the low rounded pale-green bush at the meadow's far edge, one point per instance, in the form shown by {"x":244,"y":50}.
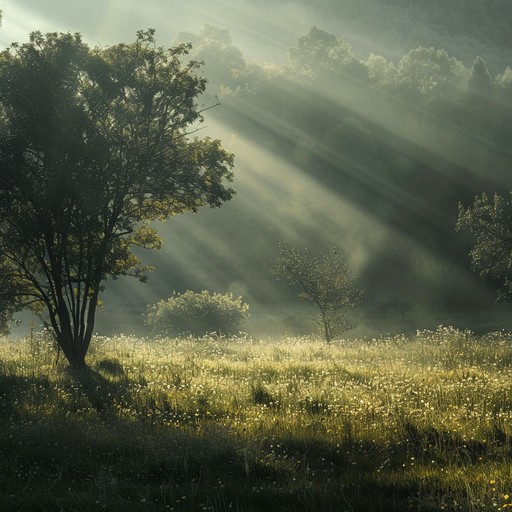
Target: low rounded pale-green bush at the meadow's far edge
{"x":198,"y":314}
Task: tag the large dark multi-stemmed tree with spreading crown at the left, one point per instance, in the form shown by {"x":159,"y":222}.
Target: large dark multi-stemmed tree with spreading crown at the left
{"x":95,"y":144}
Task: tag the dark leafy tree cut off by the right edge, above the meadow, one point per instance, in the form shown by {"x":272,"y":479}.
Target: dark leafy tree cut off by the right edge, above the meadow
{"x":490,"y":223}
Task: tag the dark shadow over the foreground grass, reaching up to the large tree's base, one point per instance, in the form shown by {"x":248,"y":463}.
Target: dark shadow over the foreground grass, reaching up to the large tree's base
{"x":95,"y":459}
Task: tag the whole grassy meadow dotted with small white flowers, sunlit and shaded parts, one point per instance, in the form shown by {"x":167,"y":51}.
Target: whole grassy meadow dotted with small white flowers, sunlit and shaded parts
{"x":394,"y":424}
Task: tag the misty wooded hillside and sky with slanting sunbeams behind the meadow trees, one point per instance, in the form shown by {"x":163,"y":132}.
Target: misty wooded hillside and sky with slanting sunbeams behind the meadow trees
{"x":357,"y":124}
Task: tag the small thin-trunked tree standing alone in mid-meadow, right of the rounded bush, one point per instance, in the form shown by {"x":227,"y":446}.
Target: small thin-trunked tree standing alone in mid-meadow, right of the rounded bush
{"x":325,"y":280}
